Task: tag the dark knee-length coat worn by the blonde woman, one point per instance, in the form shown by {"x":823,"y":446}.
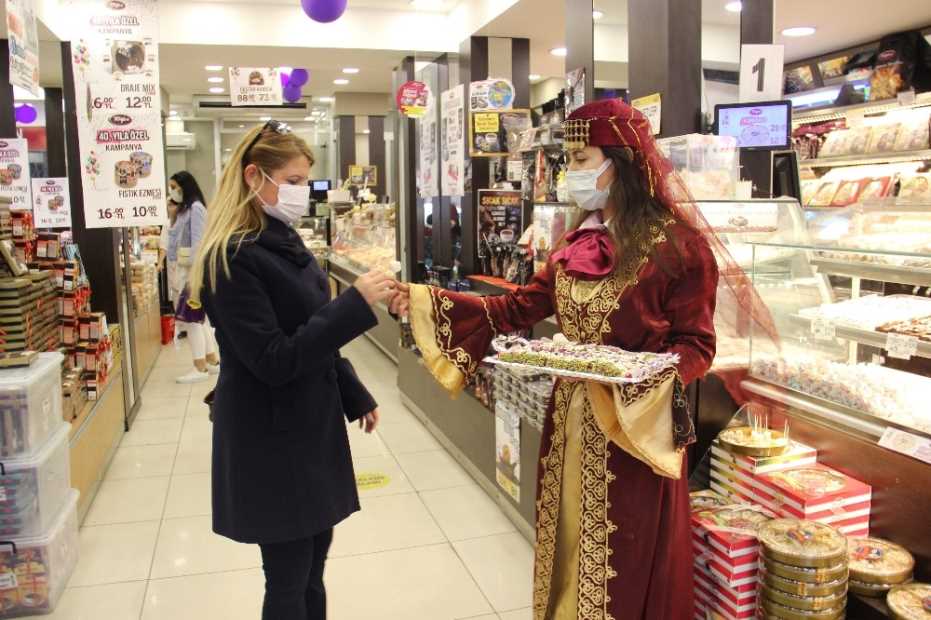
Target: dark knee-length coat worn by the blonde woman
{"x":282,"y":469}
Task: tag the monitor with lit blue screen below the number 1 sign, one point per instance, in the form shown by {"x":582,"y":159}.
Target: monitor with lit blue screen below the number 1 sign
{"x":760,"y":125}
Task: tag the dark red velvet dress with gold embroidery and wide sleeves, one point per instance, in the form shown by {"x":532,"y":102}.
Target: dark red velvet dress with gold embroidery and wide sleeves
{"x":617,"y":545}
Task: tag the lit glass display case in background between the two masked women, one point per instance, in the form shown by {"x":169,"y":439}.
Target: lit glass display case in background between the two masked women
{"x":364,"y":238}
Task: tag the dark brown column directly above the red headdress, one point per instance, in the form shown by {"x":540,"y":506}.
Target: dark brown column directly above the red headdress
{"x":665,"y":58}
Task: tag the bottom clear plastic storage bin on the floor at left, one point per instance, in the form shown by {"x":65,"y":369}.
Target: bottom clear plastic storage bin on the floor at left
{"x":35,"y":570}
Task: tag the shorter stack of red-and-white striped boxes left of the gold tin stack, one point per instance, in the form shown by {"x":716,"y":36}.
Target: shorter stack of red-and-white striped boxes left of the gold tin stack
{"x":726,"y":557}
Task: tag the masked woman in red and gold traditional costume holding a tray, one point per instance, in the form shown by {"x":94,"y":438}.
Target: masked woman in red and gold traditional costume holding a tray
{"x":638,"y":271}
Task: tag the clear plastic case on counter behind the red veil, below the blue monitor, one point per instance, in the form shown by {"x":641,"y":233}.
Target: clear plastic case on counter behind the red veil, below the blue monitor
{"x":709,"y":165}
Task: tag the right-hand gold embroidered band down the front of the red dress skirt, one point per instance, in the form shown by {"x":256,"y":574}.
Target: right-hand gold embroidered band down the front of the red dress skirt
{"x":594,"y":540}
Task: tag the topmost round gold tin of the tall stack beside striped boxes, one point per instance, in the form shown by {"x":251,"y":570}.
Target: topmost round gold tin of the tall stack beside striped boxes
{"x":802,"y":543}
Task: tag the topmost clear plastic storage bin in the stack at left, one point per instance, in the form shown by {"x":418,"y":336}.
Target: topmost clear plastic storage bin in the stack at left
{"x":30,"y":405}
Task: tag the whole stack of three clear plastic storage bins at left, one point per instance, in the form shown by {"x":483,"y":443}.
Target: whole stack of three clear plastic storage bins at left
{"x":38,"y":509}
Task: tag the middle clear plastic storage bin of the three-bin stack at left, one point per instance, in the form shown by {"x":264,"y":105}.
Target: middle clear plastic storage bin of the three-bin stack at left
{"x":33,"y":489}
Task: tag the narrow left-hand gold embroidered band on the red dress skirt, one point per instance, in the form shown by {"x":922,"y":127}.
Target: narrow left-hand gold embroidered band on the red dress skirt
{"x":548,"y":504}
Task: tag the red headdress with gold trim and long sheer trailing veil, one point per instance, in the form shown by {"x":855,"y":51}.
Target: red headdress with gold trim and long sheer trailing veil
{"x":740,"y":310}
